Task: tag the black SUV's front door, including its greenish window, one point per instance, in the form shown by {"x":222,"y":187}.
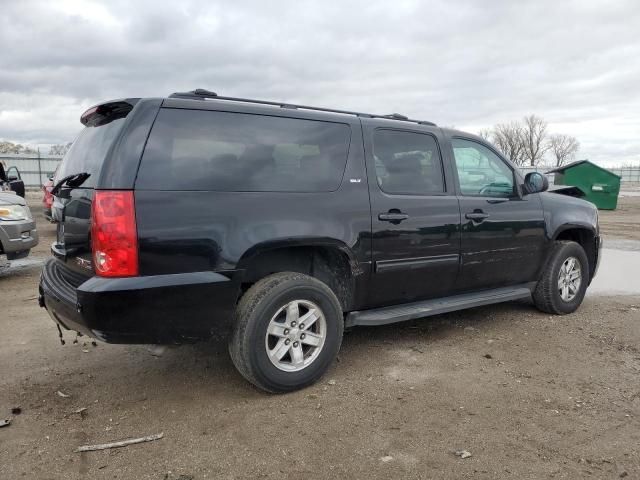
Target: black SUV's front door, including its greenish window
{"x":503,"y":235}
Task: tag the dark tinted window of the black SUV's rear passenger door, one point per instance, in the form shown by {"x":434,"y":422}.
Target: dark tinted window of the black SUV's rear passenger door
{"x":407,"y":163}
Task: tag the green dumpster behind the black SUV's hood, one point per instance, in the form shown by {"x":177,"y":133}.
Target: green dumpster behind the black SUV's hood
{"x":599,"y":185}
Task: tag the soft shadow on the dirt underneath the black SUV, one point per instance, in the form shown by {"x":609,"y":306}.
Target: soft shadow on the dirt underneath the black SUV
{"x":206,"y":366}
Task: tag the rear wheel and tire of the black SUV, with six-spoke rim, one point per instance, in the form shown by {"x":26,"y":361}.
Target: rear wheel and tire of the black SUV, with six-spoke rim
{"x":267,"y":305}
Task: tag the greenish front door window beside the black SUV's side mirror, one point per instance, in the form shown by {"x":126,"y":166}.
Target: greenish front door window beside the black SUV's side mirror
{"x":480,"y":171}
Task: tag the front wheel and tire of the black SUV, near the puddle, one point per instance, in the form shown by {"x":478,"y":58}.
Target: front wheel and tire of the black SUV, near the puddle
{"x":547,"y":295}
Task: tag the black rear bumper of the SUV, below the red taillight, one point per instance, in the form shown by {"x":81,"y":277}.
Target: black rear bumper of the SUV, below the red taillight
{"x":158,"y":309}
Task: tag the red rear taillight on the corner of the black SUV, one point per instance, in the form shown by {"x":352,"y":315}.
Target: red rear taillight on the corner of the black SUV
{"x":114,"y":238}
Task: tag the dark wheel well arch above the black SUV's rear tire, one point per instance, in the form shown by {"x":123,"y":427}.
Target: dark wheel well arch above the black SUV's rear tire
{"x":327,"y":264}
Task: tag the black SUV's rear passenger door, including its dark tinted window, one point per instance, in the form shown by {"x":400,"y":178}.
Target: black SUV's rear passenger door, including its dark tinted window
{"x":415,"y":216}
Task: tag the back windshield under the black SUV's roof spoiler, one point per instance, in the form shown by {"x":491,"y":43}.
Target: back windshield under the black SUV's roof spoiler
{"x":89,"y":151}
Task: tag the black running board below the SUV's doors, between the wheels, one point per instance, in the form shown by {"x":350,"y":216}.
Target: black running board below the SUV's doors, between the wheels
{"x":427,"y":308}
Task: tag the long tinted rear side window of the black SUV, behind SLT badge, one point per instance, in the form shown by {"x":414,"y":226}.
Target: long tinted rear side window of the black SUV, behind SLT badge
{"x":232,"y":152}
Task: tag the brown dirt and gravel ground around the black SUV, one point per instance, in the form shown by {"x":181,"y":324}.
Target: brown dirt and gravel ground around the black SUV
{"x":527,"y":394}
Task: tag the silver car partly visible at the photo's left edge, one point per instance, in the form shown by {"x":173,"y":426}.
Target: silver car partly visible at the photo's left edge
{"x":18,"y":233}
